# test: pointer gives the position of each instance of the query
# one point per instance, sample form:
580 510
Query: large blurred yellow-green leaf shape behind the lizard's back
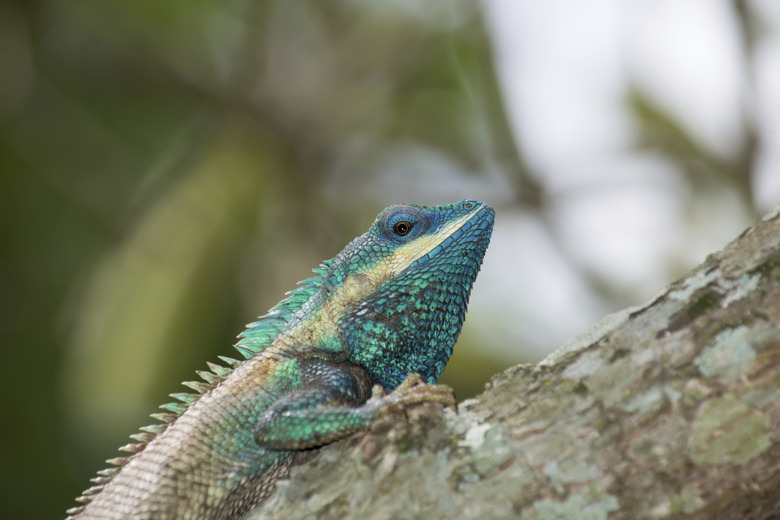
162 295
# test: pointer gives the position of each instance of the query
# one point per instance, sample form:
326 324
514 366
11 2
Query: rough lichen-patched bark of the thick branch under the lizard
669 410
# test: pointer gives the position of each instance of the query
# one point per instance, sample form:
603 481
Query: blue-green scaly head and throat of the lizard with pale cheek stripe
398 293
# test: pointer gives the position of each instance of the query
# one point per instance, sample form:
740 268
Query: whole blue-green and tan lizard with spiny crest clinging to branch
369 333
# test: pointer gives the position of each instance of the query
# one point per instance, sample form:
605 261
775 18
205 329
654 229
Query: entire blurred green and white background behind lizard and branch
169 169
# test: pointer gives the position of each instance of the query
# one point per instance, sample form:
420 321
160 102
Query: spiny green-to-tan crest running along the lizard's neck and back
256 338
